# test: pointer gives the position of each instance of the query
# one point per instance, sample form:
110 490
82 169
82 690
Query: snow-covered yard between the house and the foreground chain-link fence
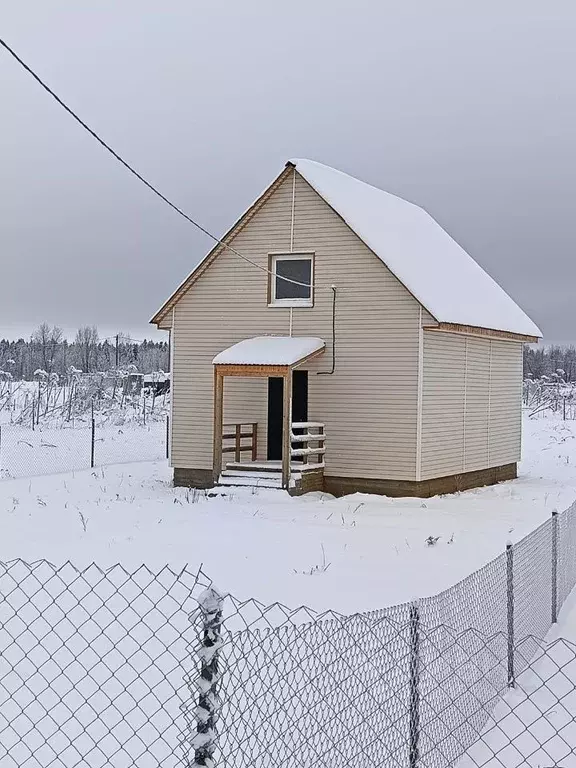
351 554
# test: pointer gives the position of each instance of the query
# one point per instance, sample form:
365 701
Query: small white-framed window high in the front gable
291 281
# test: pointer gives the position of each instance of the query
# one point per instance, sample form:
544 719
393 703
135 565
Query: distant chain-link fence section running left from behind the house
25 452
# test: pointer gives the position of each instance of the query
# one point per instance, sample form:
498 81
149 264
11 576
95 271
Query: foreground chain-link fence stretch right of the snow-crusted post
412 686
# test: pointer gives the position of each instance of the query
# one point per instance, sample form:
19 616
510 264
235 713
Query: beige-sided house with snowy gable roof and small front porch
338 338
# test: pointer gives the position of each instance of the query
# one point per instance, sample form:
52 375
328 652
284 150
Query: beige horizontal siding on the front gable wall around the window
369 405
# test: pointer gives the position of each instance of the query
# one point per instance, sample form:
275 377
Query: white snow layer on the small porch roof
270 350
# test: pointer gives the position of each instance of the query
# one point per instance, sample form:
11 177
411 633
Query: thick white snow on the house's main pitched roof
432 266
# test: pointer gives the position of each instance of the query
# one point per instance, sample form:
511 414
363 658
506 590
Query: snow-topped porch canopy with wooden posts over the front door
262 356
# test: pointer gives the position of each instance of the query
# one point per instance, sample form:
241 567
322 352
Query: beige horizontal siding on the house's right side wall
471 404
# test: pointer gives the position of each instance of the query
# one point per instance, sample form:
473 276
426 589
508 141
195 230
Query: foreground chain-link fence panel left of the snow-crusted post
94 666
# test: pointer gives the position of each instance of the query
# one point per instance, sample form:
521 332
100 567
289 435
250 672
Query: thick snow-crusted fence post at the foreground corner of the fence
204 743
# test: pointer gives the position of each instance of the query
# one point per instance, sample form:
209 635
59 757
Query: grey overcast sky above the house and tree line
466 108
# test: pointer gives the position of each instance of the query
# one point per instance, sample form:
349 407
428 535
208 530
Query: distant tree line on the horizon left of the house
48 350
